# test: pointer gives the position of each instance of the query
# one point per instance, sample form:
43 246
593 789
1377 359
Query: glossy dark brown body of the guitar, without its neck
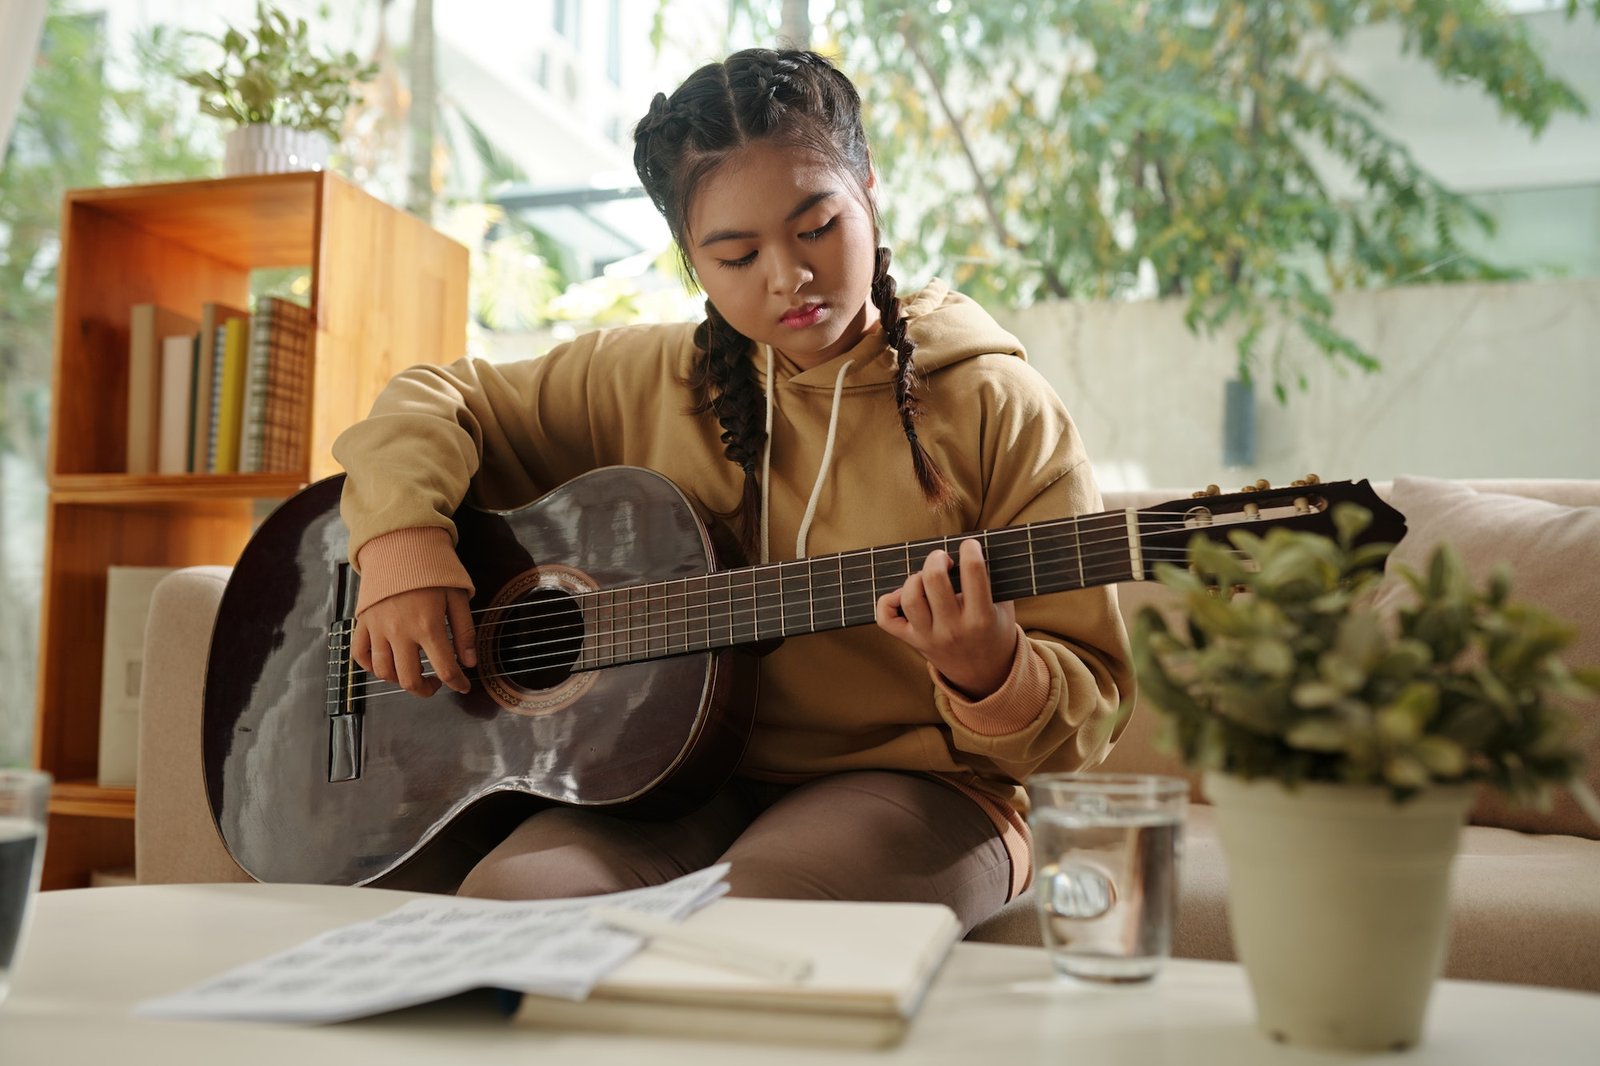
321 774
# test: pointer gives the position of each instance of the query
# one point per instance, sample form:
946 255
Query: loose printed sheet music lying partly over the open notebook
436 948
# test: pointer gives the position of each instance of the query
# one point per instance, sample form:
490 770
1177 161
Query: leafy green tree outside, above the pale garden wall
1105 150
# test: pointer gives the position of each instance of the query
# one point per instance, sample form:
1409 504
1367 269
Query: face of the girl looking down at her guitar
783 246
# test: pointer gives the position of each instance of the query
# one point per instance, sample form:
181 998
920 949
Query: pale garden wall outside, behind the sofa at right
1498 380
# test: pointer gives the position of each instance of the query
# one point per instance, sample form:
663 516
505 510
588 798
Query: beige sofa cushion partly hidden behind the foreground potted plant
1551 551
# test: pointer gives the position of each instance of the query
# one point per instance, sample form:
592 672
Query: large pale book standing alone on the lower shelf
129 593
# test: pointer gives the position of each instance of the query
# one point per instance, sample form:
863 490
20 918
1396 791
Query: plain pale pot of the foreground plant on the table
1338 899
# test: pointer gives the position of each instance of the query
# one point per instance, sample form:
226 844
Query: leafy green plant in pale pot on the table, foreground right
1342 750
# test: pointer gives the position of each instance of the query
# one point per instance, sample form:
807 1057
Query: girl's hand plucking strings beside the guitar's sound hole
393 635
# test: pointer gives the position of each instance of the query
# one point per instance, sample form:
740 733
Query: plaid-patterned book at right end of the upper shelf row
274 431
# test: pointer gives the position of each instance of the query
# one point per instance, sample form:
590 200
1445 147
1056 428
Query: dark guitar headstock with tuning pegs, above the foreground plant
1303 505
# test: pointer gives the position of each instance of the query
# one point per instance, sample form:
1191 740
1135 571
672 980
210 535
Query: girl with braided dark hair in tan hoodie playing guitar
818 414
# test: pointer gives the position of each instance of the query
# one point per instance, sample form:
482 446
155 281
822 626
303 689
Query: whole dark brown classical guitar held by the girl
615 660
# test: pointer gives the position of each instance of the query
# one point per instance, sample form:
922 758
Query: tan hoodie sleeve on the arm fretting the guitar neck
1060 707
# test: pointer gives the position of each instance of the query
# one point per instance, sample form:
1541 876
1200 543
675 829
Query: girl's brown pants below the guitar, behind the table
865 835
